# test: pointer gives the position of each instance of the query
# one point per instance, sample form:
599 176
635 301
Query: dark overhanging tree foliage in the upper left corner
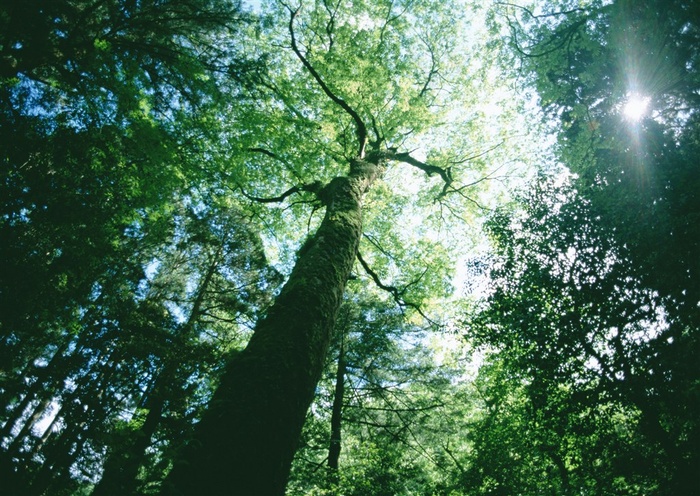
89 151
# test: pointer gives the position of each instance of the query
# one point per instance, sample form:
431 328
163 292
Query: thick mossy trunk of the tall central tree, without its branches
245 443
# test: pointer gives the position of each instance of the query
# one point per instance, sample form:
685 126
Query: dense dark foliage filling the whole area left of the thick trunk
125 282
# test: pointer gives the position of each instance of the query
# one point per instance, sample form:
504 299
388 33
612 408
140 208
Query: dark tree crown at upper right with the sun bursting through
588 65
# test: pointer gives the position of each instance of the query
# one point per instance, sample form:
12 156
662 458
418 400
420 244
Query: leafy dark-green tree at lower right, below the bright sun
573 337
